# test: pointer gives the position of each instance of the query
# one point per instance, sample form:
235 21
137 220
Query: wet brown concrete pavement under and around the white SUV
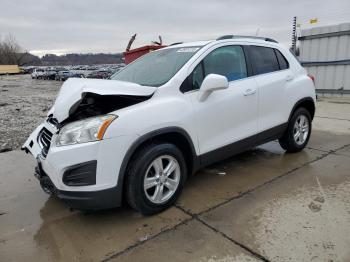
260 205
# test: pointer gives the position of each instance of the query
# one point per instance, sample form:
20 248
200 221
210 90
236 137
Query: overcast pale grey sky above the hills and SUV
88 26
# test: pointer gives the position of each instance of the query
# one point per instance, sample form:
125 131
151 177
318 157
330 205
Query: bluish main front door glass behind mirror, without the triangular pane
228 61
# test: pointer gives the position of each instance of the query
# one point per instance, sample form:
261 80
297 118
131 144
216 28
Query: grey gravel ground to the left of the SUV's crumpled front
24 103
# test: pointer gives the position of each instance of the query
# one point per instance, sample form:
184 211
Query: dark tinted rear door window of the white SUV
263 59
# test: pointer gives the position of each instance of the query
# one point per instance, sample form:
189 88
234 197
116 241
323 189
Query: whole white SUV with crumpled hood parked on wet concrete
140 135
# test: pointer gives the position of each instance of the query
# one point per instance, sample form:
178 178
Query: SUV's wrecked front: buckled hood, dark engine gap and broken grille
80 99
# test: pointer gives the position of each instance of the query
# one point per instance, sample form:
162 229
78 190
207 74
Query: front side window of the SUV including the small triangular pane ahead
228 61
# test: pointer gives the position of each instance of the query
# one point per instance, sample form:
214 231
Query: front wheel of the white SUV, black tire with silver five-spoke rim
155 178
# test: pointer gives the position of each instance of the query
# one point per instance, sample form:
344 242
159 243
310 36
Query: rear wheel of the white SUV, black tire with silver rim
298 131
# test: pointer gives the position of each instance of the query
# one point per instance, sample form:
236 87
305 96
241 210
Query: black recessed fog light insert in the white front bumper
82 174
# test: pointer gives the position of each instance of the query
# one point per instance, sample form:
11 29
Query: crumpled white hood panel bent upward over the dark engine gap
72 89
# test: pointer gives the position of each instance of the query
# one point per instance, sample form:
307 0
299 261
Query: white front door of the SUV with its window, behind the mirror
228 119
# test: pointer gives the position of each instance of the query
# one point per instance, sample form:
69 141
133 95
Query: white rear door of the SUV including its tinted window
272 76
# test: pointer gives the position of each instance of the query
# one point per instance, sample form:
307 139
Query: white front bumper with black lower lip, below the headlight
104 191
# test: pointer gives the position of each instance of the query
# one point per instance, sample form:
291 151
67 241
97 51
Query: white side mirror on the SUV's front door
211 83
